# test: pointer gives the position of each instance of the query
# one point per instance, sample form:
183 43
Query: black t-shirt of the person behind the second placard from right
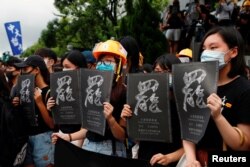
148 148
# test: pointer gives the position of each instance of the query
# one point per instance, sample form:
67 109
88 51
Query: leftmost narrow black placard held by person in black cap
26 88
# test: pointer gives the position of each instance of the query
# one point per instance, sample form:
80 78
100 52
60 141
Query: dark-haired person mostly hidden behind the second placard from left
71 60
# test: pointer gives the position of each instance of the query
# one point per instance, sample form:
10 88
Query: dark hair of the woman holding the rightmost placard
232 38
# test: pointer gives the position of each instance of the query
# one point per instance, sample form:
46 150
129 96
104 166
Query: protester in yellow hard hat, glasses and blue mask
110 56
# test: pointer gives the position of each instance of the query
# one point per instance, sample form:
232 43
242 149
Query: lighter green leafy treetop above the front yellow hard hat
91 20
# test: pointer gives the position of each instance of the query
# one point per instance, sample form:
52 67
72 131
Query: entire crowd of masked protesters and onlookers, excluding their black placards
222 39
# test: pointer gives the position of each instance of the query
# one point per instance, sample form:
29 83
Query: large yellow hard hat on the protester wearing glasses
110 47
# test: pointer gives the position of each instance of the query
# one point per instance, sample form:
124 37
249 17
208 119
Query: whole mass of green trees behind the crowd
83 23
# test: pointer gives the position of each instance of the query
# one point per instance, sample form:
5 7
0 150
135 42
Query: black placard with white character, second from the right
147 95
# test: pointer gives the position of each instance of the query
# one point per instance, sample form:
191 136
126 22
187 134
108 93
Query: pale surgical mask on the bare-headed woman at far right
214 55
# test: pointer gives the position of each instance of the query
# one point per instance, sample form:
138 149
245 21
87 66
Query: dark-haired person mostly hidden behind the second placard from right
160 153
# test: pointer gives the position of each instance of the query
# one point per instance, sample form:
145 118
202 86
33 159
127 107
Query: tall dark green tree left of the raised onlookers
142 22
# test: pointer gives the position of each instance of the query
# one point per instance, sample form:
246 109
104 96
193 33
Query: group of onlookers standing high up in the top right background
182 26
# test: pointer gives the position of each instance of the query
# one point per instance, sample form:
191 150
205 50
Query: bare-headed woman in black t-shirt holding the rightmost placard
229 124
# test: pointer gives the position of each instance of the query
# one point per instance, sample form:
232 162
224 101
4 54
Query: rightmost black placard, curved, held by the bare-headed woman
193 83
